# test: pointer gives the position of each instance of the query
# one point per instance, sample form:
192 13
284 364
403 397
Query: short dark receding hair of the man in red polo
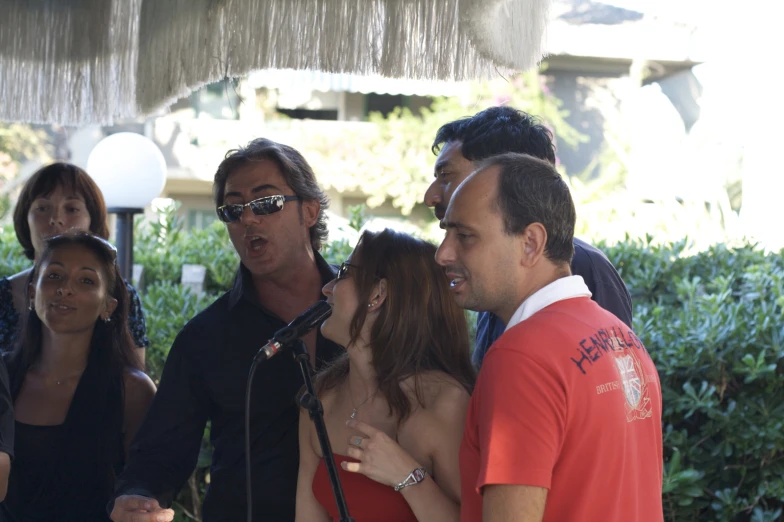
530 190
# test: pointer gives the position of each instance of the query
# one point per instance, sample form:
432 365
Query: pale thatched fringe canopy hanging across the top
75 62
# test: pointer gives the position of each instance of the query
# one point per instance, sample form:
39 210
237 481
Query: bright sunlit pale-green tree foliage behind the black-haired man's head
390 157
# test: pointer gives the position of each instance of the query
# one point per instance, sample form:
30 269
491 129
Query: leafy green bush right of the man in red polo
713 325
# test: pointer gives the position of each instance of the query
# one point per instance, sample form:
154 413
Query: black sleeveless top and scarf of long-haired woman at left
66 473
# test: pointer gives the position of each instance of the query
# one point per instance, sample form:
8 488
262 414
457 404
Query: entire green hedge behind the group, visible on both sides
712 322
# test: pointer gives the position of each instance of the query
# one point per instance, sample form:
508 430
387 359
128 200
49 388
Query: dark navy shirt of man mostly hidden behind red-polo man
606 286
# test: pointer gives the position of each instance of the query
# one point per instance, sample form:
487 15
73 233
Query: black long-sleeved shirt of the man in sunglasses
204 378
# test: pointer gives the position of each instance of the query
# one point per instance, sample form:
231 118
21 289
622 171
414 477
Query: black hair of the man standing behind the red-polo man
498 130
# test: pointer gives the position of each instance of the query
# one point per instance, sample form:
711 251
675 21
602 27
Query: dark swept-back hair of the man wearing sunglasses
294 169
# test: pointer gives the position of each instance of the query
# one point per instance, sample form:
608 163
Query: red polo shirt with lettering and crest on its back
568 400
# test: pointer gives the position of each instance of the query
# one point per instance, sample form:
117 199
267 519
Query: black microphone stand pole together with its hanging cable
310 402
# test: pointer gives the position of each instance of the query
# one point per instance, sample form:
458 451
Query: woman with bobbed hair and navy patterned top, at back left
57 198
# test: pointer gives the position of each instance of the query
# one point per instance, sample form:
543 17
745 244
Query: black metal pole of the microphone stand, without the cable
310 402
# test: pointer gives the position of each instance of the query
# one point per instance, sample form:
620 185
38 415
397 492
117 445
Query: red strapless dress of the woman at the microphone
367 500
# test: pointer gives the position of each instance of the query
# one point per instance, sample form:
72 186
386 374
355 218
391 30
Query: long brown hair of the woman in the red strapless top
419 327
